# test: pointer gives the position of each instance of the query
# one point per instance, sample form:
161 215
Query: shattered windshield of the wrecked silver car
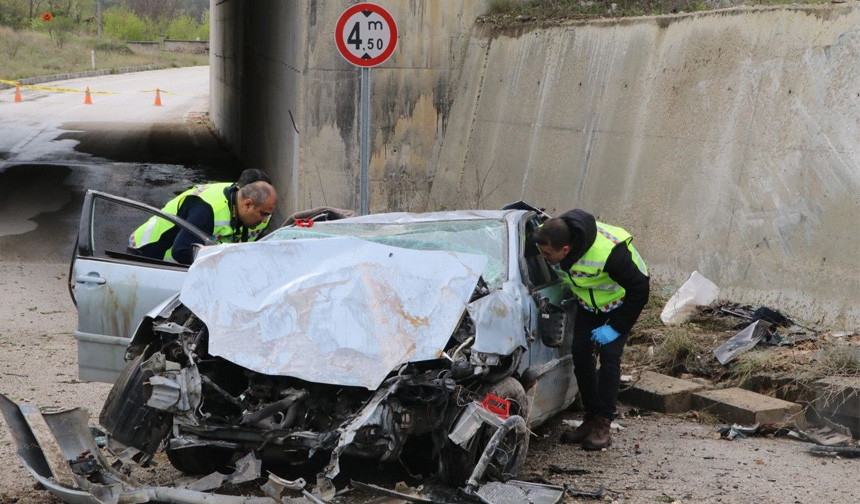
484 237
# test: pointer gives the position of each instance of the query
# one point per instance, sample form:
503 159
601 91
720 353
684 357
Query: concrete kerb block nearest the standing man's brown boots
658 392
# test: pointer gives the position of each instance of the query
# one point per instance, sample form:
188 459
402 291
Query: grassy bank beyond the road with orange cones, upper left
27 53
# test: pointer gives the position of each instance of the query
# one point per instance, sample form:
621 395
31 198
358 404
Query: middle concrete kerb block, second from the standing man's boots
743 407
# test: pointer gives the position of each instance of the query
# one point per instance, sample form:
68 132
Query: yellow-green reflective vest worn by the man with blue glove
586 278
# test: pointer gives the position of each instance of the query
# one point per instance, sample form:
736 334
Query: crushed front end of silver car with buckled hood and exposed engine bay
185 386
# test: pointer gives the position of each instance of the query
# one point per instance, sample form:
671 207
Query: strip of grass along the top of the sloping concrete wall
505 11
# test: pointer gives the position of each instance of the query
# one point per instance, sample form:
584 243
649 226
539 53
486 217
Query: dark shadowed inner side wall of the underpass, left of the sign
257 53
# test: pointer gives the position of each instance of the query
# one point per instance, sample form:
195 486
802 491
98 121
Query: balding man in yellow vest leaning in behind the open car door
229 213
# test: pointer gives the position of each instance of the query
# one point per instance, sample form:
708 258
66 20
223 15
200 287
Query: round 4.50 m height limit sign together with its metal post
366 36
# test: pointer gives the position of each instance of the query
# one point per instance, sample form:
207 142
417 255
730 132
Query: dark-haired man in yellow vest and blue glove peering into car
610 281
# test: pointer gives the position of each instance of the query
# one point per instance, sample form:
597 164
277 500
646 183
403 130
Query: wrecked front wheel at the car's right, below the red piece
508 458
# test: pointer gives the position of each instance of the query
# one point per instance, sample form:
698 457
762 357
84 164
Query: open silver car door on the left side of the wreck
111 288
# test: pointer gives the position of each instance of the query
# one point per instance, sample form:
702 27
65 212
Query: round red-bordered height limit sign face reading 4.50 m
366 35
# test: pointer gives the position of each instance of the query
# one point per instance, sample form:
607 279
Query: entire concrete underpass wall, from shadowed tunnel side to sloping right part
725 141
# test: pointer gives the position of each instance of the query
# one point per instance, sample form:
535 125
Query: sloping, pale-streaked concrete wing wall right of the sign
726 142
